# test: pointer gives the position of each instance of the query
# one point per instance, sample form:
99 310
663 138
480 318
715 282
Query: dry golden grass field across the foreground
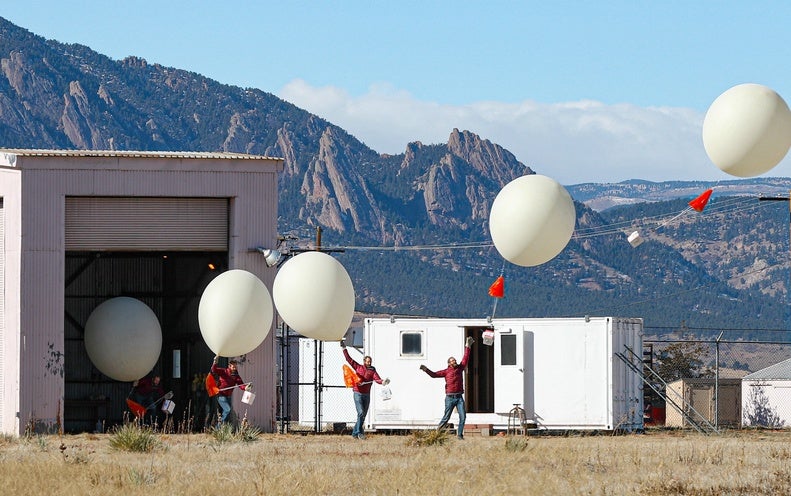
655 463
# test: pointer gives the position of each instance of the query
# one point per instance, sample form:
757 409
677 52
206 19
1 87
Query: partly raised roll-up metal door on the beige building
146 224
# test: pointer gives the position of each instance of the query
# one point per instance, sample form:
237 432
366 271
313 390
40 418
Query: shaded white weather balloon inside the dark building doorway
123 338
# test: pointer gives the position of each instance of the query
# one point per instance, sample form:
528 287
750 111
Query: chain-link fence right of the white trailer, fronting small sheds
724 383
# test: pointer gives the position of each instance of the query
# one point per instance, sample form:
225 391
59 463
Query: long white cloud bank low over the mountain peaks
573 142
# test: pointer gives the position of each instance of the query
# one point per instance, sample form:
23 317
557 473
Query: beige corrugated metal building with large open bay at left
79 227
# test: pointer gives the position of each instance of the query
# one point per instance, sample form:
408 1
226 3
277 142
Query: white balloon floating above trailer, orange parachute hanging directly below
531 220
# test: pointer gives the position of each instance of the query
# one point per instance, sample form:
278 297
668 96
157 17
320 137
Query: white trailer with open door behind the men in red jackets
563 372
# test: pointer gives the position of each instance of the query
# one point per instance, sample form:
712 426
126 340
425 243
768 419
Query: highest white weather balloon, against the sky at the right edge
747 130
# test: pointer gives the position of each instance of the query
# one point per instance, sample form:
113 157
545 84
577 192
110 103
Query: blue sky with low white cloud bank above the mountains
579 91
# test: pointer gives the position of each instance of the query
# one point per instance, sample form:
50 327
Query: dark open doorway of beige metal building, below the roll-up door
171 284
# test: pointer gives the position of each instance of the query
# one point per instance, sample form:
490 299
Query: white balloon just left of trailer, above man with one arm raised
314 295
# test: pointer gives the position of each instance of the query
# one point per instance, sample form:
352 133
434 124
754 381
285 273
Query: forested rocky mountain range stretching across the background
60 96
